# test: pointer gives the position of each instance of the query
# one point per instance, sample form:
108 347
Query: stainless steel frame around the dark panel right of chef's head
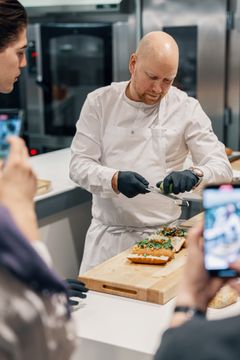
210 19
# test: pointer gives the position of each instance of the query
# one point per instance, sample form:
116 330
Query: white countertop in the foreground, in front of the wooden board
127 323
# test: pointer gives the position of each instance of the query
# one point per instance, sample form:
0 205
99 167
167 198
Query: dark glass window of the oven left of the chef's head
77 68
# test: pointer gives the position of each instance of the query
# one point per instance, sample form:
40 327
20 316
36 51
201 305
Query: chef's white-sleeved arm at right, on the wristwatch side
208 153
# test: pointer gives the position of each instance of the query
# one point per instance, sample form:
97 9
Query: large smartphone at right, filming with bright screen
221 205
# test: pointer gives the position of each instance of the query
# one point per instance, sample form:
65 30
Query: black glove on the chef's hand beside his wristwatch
179 181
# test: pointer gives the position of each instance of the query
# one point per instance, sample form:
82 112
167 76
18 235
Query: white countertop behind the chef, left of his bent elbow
54 166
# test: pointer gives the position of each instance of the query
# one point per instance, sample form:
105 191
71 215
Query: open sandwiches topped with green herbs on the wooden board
158 248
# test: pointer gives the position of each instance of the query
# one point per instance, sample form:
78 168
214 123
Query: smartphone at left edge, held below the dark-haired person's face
10 124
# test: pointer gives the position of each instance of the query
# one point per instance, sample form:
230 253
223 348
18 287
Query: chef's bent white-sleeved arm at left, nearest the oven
85 166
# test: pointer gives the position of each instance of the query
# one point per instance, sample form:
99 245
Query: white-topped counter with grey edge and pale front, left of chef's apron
64 213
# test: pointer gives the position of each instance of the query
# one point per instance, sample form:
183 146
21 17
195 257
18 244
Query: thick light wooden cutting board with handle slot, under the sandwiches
153 283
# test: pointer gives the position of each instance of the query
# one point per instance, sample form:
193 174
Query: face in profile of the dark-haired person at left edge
12 60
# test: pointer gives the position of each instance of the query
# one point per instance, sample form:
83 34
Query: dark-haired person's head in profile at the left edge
13 43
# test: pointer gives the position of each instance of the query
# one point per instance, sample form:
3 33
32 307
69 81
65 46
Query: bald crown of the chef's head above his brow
159 45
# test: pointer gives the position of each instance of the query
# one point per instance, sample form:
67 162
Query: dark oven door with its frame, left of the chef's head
66 62
